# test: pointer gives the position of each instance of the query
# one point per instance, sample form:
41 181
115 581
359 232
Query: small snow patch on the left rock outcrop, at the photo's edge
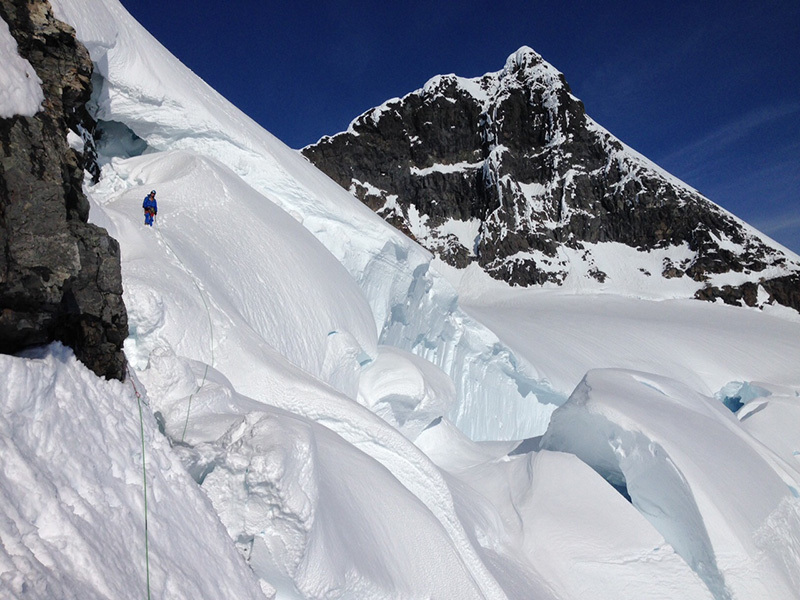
20 87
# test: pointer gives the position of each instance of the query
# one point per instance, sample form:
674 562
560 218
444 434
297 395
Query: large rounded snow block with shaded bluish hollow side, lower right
651 435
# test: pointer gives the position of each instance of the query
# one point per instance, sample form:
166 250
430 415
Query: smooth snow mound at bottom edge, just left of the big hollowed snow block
528 509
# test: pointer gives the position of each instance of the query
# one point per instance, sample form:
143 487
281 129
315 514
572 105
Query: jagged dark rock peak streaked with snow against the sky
507 170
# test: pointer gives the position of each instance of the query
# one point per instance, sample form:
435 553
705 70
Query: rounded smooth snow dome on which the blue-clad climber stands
258 279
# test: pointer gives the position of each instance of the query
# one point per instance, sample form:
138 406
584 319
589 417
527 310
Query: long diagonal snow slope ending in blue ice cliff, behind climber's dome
163 106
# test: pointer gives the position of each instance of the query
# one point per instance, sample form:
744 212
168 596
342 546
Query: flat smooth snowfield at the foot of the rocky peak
565 334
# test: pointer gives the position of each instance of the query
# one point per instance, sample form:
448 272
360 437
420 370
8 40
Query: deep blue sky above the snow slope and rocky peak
709 90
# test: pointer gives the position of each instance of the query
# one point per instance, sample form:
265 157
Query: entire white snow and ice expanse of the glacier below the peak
322 419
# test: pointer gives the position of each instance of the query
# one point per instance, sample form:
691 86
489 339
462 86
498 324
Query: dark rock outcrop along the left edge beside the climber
59 275
